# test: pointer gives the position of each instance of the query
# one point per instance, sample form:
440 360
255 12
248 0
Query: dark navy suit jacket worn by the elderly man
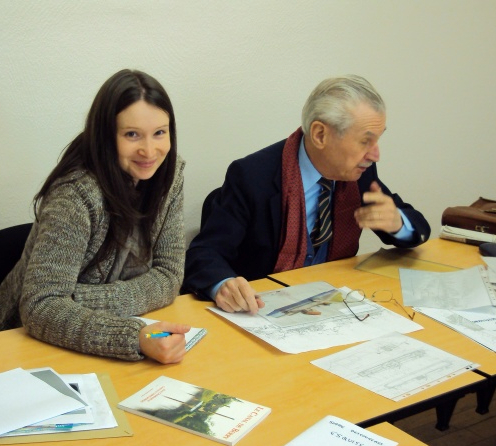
241 234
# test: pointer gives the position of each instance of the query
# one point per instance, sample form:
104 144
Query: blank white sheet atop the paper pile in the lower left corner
26 400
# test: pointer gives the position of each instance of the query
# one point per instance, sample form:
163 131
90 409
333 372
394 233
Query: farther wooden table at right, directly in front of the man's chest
343 273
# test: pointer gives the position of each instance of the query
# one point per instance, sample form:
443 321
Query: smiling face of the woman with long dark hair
143 139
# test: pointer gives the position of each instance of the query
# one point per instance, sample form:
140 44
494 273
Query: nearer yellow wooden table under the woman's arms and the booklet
231 361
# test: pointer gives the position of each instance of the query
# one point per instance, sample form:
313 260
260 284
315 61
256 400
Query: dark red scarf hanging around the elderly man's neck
293 244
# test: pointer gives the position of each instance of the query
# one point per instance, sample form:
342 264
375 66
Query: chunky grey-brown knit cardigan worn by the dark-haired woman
60 304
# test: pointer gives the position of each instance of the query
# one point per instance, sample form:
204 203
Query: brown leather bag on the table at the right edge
480 216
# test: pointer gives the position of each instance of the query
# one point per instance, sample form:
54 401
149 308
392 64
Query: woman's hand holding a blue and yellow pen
167 350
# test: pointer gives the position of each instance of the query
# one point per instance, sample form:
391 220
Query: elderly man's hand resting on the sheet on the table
237 295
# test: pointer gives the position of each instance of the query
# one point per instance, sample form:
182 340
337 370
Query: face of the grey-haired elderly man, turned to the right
346 157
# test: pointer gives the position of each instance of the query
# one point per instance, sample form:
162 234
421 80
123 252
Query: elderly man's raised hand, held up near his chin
382 214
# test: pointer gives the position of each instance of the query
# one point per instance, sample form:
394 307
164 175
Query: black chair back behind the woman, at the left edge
12 241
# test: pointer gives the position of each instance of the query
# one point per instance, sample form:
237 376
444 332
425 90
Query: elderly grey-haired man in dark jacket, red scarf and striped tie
301 201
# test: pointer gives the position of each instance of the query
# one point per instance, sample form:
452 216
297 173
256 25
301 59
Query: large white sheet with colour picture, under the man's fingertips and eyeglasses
313 316
